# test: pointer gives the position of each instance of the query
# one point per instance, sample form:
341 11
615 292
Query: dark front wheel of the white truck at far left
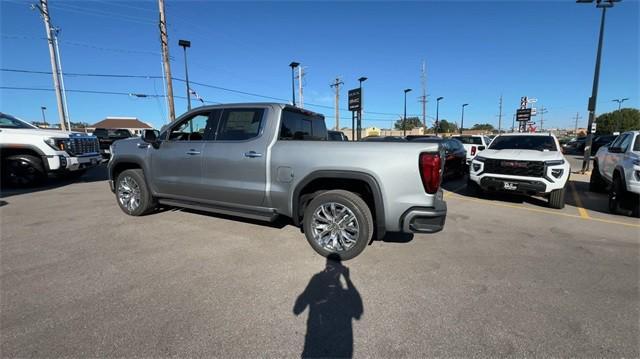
23 171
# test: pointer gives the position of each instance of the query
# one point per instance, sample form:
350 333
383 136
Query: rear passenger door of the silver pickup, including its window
235 162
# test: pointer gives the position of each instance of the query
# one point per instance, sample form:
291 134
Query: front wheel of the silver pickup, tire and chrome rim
134 179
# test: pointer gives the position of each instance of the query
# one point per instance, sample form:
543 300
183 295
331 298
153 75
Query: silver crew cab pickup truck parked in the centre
262 161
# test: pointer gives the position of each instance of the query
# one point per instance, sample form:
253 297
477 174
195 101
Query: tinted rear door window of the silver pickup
240 124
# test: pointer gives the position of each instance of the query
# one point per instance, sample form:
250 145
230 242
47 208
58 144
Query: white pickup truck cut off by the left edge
29 154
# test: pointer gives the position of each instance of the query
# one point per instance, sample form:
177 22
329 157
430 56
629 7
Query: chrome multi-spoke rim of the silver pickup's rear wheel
334 227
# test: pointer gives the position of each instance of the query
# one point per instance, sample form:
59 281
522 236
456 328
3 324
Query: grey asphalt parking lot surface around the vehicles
507 277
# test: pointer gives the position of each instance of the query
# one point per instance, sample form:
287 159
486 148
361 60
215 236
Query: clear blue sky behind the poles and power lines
475 51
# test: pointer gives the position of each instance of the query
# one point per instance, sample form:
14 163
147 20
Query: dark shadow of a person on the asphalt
332 307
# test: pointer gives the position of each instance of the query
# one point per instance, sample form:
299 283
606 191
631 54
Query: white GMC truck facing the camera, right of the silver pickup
523 163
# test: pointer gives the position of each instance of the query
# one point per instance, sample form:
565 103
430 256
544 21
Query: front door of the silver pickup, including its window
176 165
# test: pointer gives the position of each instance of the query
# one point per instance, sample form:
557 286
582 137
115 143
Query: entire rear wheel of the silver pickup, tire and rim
338 223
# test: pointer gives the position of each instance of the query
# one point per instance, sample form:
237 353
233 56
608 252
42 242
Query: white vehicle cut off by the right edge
617 166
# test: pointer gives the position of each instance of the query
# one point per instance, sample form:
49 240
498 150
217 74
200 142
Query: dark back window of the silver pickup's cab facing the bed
302 126
